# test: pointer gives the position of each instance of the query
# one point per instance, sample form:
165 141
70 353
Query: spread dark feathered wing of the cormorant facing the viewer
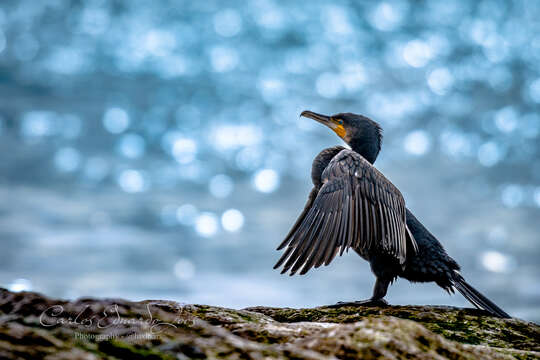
355 207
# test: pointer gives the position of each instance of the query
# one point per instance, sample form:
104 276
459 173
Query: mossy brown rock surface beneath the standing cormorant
35 327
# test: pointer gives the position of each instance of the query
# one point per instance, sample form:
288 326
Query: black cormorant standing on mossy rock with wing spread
353 205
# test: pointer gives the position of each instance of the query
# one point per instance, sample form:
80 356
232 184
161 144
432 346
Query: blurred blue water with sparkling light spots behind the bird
154 149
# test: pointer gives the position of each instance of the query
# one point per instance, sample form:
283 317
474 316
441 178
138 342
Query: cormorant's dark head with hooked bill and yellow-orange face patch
361 133
